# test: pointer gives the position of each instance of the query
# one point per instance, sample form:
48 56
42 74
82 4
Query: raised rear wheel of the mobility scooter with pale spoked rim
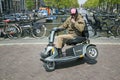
91 52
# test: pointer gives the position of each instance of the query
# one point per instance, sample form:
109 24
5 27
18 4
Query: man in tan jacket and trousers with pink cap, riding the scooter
74 25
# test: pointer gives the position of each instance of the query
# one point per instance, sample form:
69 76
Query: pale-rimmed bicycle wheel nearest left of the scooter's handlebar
39 31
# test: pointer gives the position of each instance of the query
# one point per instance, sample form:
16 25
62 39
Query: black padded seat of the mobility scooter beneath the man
76 40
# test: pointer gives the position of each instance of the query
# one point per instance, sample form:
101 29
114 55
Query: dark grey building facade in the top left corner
11 6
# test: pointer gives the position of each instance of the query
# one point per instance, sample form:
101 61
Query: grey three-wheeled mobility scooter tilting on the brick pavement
80 48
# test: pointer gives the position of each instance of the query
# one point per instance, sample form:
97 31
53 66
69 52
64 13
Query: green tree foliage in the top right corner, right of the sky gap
108 5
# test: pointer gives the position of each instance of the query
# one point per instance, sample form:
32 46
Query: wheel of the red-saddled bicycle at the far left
12 31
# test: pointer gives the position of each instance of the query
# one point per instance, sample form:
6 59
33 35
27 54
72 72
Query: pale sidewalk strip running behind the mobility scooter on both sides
28 40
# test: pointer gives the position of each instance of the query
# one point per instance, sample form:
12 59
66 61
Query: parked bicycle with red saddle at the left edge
9 30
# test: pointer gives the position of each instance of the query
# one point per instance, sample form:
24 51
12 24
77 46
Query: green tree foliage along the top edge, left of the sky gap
30 4
